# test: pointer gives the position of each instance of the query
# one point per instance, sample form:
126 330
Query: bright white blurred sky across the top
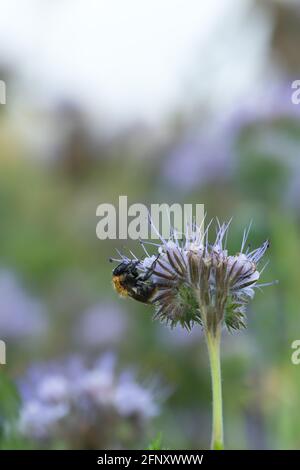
134 60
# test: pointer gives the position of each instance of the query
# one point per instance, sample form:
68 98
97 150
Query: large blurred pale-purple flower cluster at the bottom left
86 408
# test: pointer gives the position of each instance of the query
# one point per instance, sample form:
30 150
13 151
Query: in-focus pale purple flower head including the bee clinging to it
192 281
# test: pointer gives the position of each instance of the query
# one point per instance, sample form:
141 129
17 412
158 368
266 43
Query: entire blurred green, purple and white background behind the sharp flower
163 101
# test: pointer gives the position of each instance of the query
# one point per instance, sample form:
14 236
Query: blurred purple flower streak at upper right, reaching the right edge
209 156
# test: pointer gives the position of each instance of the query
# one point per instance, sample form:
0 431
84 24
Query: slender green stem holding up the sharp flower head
213 341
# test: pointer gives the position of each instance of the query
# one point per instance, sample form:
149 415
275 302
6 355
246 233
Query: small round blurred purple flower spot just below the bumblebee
104 324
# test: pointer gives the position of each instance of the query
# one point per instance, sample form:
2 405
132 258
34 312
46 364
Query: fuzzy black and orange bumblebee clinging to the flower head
129 282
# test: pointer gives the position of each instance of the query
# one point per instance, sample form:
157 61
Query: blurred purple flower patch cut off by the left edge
20 314
